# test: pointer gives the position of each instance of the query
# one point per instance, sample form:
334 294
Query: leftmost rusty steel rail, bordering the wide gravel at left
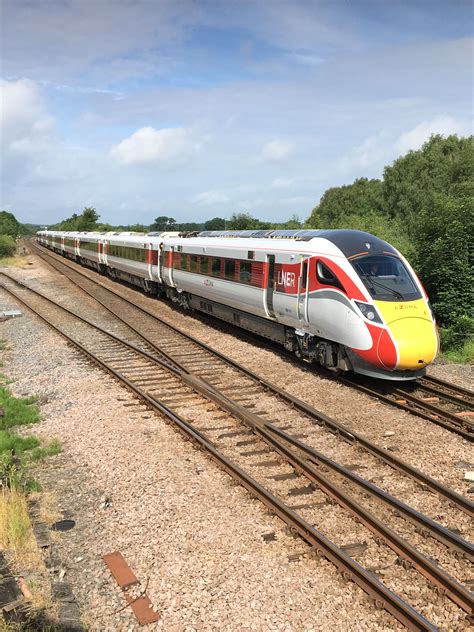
385 598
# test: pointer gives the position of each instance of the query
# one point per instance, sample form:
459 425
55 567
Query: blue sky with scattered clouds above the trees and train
196 109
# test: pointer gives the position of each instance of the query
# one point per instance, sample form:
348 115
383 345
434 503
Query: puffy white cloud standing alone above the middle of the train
148 145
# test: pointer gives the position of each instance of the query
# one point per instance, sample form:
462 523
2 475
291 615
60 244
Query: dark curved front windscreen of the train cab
386 278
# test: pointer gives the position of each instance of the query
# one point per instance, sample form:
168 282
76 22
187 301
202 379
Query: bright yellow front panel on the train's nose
416 342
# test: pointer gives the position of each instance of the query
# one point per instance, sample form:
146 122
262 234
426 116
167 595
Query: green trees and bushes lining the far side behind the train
423 205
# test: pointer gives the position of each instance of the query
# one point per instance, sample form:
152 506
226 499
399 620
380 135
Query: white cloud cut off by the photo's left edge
25 126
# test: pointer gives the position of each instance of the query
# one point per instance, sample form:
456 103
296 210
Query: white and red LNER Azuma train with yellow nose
343 299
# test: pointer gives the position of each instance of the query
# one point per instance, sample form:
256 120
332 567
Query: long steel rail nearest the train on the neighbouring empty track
322 419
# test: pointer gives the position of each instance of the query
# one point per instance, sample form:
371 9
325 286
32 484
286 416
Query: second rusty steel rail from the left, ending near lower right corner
439 578
